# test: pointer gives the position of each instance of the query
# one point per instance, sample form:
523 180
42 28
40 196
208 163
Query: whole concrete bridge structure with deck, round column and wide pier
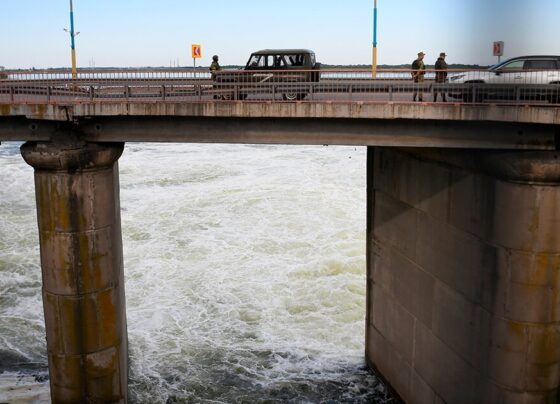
463 212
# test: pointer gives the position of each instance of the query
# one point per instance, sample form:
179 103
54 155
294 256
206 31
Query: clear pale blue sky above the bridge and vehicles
139 33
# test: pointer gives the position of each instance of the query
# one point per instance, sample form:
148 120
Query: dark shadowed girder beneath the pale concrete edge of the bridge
306 131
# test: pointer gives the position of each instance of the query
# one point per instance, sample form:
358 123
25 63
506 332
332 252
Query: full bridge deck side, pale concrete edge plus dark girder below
340 123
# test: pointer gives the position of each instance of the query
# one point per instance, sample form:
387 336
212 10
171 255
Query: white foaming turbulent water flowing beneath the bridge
245 275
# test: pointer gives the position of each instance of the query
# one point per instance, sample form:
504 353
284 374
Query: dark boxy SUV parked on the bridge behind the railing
283 71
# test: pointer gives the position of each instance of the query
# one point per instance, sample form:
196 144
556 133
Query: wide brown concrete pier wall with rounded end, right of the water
464 274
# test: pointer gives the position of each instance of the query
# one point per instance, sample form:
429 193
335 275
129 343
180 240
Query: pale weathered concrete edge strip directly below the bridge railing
266 109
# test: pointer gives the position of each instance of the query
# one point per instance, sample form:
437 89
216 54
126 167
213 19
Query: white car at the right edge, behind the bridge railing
524 77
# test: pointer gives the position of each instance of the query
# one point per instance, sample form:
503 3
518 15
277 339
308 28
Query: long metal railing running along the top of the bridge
188 85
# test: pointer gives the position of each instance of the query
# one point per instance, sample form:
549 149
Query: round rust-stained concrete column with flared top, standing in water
78 209
